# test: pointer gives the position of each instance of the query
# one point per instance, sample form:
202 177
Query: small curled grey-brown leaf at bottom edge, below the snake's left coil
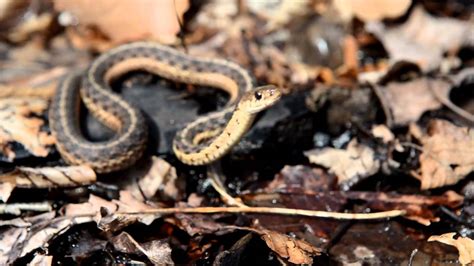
157 251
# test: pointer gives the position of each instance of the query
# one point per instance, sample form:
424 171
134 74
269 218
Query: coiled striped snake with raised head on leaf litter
202 141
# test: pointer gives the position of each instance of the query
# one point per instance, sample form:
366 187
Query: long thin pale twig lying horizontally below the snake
271 210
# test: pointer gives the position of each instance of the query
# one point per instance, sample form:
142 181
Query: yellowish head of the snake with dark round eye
259 99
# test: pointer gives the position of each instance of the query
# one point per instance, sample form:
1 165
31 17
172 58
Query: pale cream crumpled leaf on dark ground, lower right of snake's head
350 165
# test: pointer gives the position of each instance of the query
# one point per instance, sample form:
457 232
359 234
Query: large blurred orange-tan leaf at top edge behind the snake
145 19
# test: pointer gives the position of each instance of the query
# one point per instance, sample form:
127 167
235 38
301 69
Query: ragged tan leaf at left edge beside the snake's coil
16 124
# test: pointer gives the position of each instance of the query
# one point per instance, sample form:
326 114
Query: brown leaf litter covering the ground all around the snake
385 132
